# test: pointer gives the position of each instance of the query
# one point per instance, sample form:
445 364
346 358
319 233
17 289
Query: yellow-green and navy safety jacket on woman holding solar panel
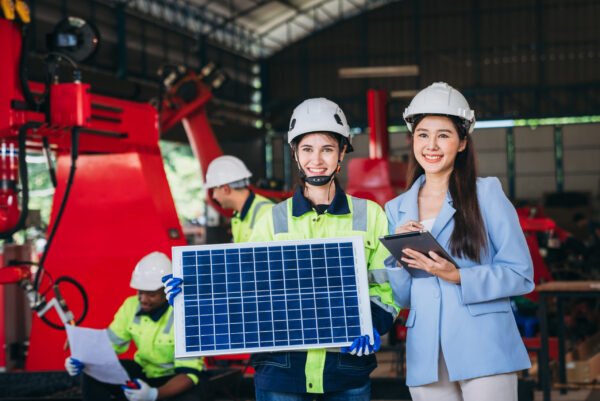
295 219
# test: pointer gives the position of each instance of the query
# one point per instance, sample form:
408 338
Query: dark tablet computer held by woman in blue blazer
420 241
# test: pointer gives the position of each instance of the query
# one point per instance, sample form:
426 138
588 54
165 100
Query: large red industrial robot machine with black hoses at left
116 208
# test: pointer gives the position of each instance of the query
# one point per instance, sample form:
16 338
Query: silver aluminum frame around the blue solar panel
361 283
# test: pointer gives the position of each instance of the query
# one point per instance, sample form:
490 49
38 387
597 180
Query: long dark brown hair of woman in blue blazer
469 236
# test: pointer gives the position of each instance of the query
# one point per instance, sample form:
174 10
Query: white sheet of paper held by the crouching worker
93 348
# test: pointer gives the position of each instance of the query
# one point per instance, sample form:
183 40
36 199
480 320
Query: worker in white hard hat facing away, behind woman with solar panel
228 177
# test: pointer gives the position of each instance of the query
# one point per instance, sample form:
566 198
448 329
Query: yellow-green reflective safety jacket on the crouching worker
154 340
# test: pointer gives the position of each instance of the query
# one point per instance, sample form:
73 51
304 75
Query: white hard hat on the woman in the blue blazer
440 98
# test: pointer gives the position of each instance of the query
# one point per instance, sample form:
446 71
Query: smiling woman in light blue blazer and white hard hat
463 342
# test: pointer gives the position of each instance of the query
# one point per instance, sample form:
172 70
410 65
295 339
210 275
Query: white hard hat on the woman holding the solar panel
319 115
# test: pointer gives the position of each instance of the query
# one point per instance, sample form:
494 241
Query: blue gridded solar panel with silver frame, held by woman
280 295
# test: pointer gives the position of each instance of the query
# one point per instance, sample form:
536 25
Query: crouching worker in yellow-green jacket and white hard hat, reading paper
147 320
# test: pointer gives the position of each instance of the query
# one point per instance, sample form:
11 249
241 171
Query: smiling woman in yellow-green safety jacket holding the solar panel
319 136
